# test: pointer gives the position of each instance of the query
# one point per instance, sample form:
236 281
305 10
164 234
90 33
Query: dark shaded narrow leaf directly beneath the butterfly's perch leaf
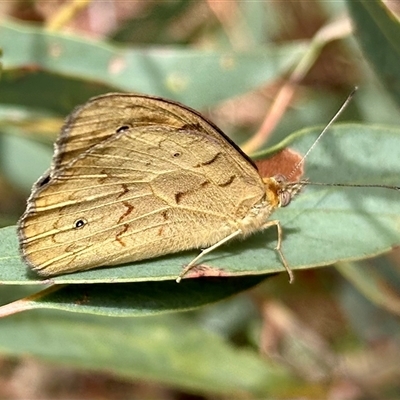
133 299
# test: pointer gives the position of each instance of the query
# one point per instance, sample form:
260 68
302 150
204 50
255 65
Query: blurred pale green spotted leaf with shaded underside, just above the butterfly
178 73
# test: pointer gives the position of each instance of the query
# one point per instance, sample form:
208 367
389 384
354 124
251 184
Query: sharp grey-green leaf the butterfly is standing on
321 226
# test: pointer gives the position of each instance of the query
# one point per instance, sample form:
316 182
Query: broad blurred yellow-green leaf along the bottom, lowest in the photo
171 350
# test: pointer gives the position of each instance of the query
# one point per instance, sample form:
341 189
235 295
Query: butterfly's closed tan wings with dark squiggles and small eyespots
151 187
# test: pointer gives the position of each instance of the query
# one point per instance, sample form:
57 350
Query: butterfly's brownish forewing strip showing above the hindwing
102 117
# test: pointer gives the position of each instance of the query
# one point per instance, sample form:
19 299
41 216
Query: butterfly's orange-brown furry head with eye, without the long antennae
280 191
